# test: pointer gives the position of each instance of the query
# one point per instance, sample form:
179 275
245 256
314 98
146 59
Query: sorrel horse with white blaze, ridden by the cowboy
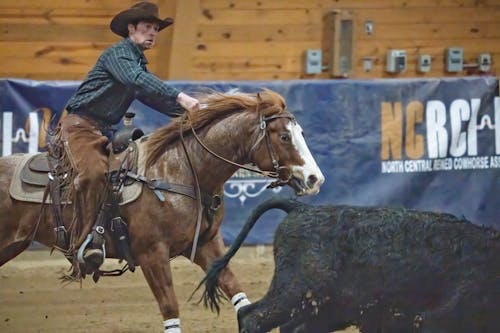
229 131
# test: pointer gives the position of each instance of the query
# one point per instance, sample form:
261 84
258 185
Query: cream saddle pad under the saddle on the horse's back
25 192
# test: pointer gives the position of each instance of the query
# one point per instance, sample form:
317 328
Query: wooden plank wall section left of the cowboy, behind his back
54 39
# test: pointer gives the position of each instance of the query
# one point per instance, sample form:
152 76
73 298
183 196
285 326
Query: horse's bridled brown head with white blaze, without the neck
281 147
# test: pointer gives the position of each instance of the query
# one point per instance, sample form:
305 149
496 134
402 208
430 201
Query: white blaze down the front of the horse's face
309 173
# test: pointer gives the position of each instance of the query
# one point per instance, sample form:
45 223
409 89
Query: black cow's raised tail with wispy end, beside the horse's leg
213 295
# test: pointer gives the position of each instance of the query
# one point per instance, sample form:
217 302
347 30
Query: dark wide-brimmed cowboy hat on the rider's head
140 11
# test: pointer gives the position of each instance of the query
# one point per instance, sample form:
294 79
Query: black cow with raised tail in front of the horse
381 269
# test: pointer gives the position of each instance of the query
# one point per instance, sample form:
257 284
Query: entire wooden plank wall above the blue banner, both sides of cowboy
247 39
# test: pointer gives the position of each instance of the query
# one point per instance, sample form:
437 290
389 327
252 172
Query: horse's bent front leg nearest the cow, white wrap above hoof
227 281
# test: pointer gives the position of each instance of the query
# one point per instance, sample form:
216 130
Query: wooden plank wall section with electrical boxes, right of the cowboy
260 39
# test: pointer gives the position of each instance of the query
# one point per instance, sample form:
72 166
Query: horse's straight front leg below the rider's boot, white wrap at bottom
155 265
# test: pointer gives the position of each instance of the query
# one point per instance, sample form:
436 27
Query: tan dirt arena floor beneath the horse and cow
33 300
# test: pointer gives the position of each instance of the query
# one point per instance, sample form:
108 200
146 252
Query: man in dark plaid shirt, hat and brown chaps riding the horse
118 78
